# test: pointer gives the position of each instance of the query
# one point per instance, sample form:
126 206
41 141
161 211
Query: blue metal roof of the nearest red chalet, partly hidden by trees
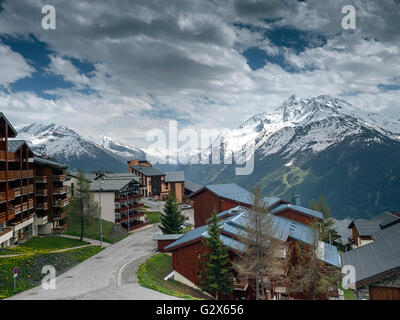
282 229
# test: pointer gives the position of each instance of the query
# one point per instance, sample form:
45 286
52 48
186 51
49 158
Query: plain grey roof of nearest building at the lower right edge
375 258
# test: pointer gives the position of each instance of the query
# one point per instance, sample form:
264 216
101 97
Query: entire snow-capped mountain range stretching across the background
318 146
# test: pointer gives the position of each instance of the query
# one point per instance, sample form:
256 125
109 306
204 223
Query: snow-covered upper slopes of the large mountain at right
298 125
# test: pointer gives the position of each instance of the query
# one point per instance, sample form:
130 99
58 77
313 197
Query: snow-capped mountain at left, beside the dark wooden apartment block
67 146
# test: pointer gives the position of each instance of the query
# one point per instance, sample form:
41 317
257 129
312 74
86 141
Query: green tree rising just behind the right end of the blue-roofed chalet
326 231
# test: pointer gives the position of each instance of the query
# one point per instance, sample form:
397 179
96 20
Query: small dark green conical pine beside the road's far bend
172 220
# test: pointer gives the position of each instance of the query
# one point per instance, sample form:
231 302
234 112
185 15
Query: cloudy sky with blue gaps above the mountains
124 67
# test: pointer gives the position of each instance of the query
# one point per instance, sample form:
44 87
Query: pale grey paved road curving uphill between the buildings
108 275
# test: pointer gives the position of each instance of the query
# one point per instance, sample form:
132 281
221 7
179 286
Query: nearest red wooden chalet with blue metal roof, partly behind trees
188 250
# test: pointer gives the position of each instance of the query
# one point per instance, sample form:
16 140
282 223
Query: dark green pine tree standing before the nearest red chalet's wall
216 276
